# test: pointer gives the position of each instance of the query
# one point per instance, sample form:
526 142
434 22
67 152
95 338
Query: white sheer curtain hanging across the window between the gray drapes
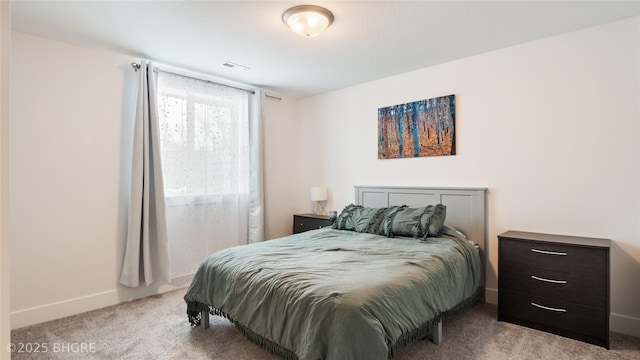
209 168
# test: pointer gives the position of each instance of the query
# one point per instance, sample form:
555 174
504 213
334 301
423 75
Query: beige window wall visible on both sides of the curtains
71 117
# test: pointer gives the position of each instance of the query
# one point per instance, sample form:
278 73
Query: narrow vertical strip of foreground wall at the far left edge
5 279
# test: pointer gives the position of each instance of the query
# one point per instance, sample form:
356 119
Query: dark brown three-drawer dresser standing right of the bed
554 283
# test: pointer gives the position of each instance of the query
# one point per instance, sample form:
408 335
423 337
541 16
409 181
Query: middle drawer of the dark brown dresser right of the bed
585 290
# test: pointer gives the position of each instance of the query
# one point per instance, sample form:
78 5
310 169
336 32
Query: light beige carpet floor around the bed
157 328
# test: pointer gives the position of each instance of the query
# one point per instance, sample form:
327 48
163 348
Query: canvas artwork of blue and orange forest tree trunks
416 129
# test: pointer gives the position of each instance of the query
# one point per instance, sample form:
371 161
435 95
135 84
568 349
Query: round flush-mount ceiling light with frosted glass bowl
307 20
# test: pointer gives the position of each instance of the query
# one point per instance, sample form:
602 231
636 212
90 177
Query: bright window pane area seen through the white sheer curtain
204 137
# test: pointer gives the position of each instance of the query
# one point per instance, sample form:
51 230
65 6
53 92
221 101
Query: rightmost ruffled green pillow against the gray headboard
416 222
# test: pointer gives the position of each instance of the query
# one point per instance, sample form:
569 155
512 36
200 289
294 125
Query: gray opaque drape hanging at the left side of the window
146 251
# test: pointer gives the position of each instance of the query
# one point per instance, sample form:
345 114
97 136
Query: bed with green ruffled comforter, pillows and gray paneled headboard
357 293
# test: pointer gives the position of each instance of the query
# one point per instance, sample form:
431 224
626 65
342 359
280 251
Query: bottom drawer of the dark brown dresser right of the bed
568 319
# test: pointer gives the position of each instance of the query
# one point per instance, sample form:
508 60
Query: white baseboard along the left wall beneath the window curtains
40 314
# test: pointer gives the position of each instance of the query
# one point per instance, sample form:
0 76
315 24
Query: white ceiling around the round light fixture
368 40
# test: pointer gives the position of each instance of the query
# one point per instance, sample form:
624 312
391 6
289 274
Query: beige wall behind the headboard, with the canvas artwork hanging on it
551 128
